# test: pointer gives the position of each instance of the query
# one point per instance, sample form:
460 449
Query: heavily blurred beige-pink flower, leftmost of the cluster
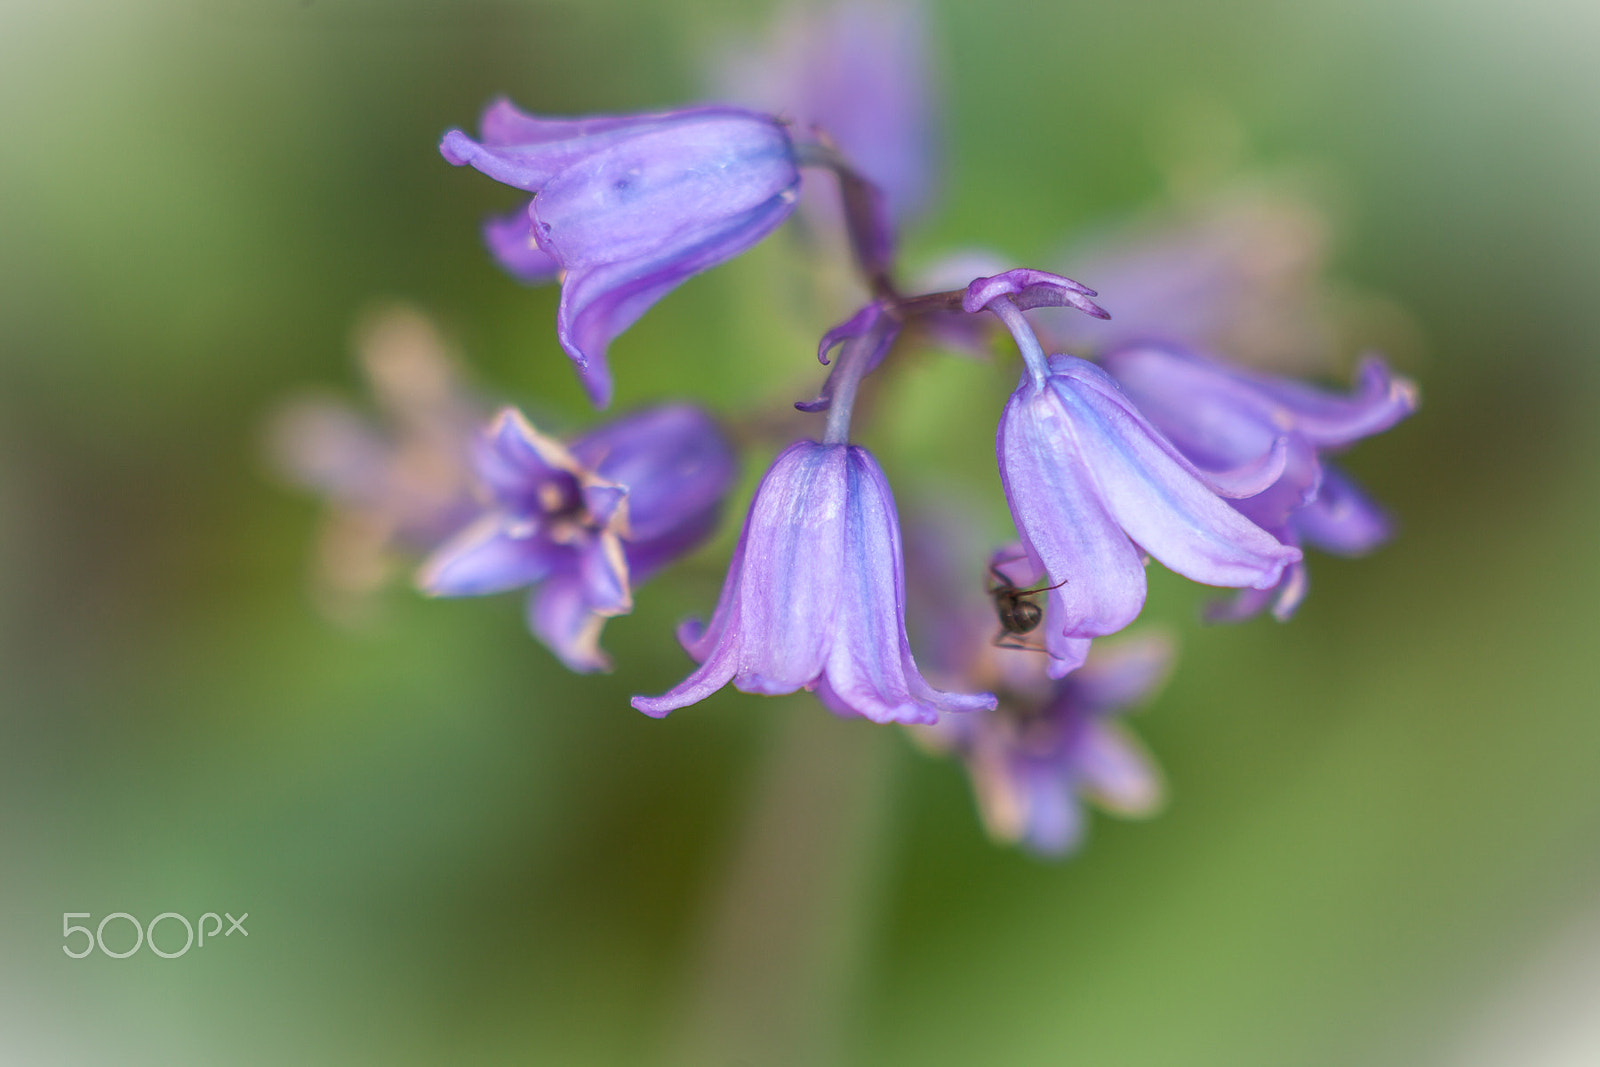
396 487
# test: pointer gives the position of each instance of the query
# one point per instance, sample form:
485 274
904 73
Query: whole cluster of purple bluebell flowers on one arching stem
1142 444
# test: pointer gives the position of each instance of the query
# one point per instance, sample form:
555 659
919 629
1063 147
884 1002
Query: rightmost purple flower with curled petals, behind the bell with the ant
1222 417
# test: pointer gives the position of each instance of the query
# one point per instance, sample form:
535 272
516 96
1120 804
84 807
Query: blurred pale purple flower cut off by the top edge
858 74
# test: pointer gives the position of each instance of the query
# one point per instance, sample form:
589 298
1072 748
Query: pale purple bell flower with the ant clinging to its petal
1094 487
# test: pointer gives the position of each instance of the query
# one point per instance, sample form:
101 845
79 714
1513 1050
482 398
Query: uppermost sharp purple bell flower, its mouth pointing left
630 207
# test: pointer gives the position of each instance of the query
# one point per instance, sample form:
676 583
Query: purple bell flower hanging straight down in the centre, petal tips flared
815 599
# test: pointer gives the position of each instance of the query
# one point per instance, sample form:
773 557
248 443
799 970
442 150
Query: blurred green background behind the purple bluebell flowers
1382 817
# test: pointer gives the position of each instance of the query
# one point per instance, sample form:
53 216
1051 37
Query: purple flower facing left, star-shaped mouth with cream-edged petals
588 522
